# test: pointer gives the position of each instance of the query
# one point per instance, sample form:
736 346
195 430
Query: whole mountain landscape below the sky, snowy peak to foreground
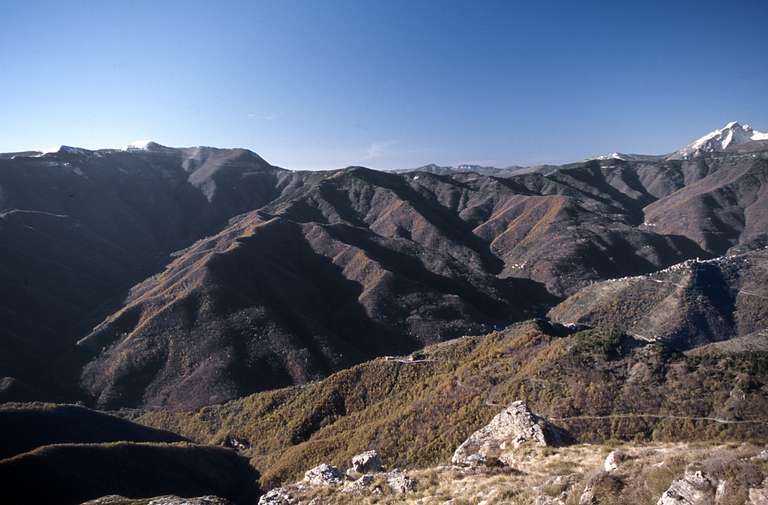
201 314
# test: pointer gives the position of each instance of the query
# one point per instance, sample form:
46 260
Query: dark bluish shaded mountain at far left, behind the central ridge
79 227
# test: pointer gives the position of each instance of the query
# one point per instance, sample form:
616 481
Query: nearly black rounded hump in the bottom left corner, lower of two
68 474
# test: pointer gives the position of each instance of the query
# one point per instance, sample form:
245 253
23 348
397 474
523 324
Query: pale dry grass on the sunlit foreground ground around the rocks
640 479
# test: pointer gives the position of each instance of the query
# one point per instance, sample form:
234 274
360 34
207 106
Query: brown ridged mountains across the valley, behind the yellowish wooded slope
191 276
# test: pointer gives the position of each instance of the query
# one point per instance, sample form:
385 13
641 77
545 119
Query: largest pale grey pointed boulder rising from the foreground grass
513 427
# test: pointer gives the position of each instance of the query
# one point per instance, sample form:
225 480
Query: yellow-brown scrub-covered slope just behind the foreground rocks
416 414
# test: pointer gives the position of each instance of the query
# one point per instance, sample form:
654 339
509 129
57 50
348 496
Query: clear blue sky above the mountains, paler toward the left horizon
386 84
